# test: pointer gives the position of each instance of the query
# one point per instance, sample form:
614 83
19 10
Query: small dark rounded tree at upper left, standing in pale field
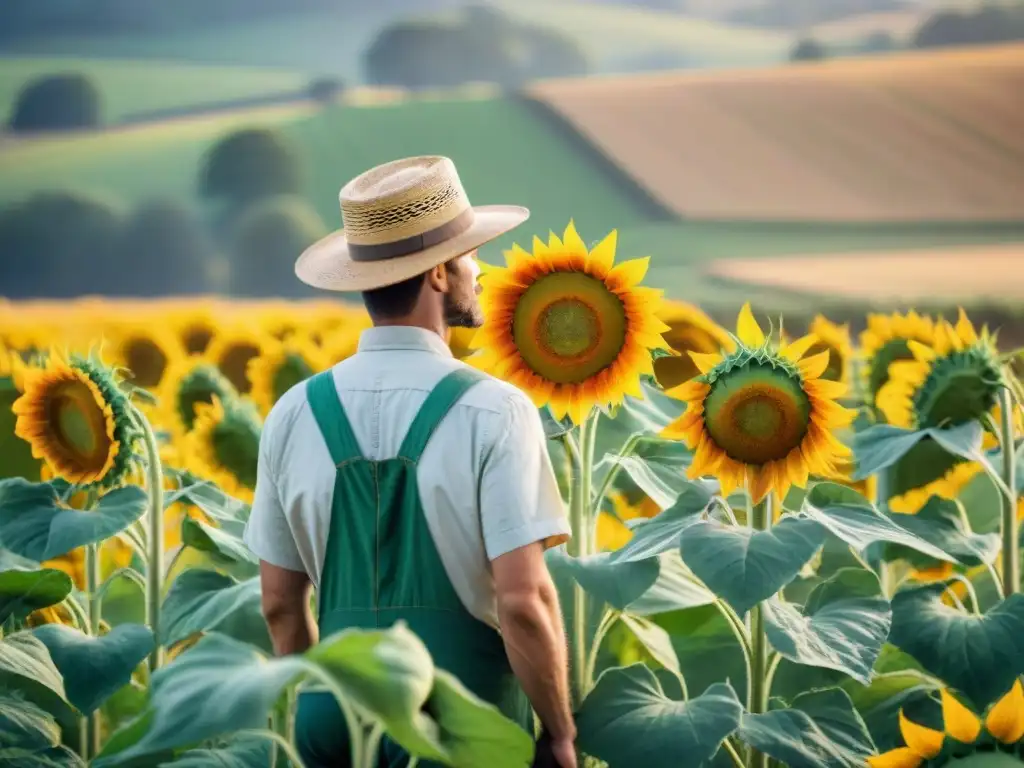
57 103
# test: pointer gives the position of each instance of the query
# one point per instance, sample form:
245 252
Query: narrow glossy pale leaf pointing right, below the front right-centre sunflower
854 520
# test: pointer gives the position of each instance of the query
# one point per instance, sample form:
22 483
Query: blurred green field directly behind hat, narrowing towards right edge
505 155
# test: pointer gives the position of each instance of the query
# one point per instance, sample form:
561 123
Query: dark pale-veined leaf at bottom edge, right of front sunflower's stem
821 731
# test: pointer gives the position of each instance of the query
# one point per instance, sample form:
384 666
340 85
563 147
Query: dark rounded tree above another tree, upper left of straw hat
250 165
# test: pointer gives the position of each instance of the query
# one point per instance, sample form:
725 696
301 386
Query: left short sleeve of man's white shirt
268 534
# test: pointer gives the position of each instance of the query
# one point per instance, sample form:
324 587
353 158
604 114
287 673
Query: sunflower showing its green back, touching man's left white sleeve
224 446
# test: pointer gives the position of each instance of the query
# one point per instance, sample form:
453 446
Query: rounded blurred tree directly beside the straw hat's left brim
268 240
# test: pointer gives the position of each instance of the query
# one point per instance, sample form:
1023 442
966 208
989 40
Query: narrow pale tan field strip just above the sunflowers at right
957 274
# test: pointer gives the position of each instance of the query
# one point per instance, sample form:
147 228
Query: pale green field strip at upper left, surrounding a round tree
129 88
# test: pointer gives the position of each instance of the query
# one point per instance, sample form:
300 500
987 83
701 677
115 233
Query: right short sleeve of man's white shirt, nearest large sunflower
521 502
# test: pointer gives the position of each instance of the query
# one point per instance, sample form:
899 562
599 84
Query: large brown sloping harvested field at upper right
910 138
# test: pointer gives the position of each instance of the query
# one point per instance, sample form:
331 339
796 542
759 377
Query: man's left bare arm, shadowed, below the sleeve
286 609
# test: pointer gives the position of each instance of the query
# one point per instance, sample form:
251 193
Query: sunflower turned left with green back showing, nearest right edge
953 379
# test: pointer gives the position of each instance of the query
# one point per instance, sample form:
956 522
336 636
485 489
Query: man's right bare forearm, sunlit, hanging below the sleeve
535 635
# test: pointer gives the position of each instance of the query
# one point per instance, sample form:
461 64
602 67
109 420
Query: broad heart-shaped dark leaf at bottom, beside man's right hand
628 720
